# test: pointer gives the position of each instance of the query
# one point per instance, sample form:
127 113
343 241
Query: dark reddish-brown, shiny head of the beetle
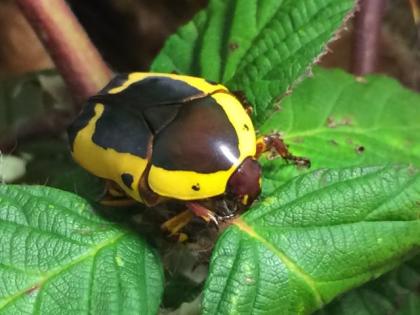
245 182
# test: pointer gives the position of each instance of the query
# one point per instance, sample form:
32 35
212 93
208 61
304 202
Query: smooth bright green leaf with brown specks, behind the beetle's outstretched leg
337 120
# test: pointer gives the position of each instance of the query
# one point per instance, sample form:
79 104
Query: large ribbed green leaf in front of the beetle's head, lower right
316 237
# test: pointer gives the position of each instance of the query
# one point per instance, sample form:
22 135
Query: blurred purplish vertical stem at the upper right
367 31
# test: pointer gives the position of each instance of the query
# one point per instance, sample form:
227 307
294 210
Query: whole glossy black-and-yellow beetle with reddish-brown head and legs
157 137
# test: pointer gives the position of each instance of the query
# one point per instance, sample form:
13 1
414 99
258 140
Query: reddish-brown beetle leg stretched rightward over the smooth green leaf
274 142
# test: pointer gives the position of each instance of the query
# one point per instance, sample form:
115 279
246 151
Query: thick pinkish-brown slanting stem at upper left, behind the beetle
76 58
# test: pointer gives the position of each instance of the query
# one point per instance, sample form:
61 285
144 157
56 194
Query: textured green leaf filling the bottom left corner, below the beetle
57 257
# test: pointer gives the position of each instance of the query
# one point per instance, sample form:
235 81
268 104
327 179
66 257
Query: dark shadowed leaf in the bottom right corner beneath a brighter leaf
394 293
